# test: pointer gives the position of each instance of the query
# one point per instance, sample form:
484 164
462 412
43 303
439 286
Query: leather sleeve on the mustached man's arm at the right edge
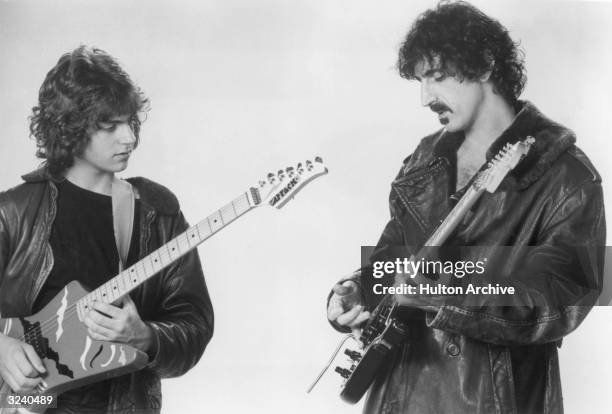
555 286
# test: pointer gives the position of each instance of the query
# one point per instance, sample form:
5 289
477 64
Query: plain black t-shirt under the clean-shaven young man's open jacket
84 249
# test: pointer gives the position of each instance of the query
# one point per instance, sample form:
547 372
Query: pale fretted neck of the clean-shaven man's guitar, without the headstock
135 275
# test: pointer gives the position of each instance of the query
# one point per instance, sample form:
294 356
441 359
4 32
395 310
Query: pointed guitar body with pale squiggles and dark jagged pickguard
71 357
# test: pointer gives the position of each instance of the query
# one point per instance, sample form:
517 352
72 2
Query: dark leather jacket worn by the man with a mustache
490 358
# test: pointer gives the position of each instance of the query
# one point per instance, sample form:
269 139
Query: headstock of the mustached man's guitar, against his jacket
503 162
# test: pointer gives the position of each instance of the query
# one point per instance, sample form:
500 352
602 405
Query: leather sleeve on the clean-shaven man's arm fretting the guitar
183 322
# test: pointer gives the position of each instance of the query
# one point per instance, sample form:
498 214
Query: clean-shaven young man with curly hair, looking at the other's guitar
60 226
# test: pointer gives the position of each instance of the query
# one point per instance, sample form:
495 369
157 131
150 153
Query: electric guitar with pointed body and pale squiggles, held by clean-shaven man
57 333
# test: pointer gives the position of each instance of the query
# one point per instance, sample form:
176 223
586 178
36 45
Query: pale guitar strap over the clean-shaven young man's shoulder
123 217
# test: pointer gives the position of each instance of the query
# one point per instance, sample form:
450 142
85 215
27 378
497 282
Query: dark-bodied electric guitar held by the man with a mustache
384 330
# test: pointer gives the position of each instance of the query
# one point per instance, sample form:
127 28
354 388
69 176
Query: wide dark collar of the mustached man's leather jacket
551 140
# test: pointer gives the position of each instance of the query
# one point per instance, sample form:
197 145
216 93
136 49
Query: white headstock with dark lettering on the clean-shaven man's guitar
279 188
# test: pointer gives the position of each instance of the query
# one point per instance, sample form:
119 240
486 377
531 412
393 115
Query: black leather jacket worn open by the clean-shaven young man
175 303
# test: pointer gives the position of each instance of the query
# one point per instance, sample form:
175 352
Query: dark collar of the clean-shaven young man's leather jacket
155 195
